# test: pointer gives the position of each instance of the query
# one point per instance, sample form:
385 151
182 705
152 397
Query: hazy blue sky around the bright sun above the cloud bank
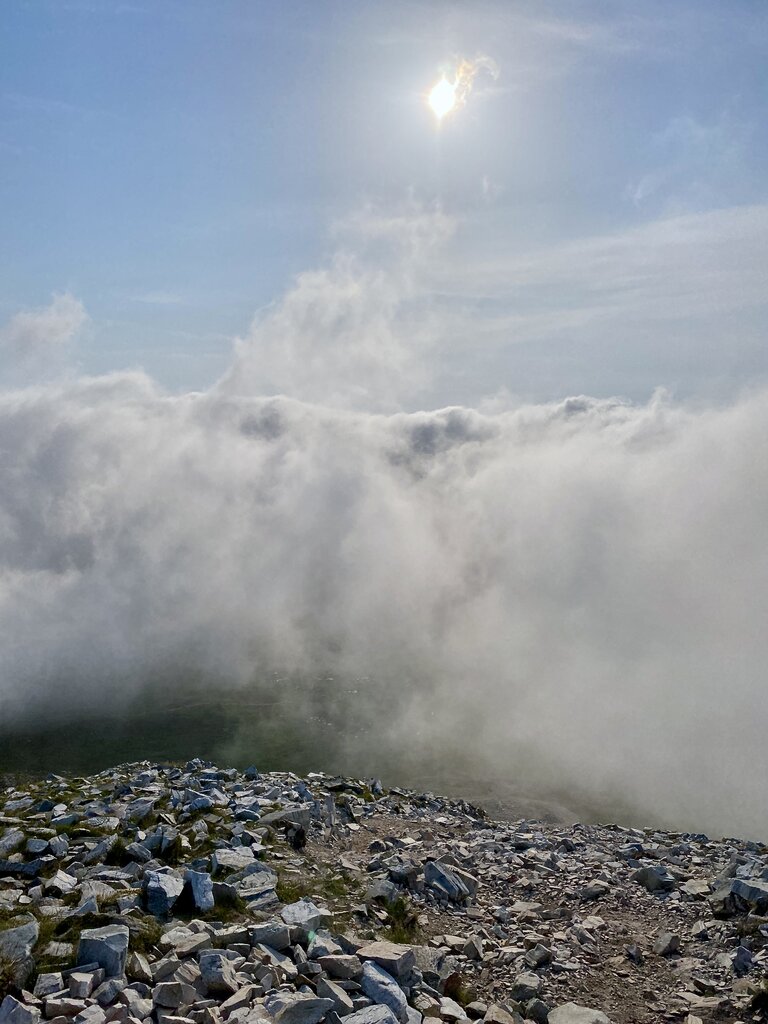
177 165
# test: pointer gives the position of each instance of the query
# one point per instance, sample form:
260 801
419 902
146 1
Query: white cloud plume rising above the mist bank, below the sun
358 332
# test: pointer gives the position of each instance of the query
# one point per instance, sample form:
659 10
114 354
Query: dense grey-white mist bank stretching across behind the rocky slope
574 590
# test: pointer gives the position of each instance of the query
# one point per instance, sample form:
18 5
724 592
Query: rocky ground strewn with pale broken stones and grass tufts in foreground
196 895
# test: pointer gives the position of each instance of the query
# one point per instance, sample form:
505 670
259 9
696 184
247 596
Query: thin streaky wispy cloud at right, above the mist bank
699 276
